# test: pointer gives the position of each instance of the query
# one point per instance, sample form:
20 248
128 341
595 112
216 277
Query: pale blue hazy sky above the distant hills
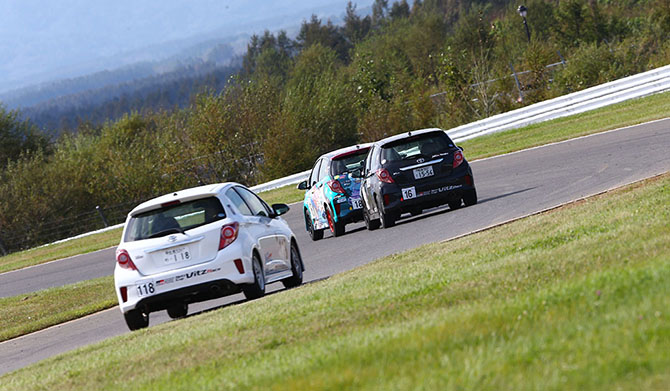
45 39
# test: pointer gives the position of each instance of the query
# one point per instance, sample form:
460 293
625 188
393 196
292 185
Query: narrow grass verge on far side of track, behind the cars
620 115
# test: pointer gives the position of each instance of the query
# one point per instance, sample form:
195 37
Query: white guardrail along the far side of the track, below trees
636 86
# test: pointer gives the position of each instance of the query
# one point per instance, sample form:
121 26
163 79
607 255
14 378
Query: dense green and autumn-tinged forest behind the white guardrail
431 63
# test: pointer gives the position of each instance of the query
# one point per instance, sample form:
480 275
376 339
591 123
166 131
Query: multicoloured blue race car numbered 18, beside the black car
333 189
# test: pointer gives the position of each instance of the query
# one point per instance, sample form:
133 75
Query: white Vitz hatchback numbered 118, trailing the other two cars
199 244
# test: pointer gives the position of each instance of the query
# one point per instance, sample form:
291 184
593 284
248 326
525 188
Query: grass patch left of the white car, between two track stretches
24 314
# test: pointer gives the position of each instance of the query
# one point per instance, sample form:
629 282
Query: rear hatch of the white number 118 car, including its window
174 235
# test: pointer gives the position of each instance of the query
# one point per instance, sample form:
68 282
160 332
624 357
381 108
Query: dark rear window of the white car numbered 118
174 218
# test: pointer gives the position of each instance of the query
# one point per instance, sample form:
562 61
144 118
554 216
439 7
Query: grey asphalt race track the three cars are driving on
509 187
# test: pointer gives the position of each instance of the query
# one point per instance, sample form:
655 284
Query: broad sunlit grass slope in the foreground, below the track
577 298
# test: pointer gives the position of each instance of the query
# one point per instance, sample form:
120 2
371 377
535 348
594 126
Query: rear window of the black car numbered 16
424 145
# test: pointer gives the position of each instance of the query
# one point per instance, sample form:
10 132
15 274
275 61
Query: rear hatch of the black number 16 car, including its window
419 160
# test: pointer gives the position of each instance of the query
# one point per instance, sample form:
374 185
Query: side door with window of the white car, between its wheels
275 246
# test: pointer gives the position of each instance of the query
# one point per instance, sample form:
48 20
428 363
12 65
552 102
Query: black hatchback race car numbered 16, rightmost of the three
411 172
